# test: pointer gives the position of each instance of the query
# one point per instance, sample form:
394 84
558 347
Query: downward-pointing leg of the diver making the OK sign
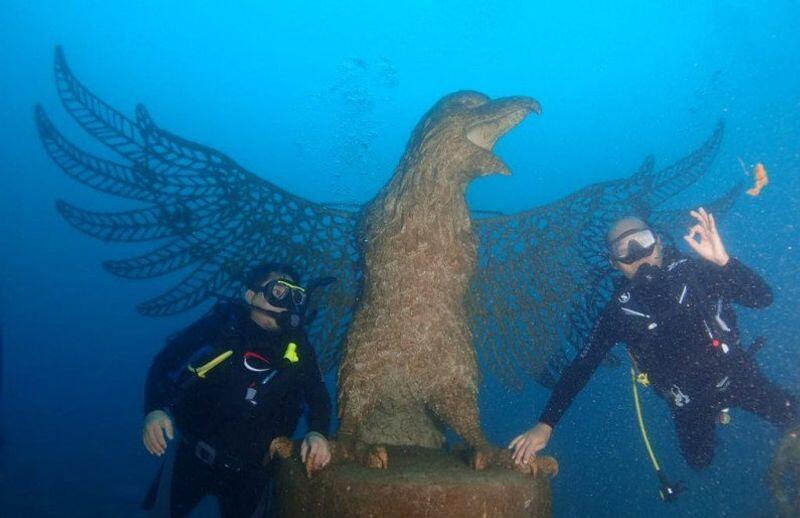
696 434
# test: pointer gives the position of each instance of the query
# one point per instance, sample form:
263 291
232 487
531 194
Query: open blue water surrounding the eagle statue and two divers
320 98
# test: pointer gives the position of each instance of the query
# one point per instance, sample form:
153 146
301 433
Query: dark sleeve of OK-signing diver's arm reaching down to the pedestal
604 336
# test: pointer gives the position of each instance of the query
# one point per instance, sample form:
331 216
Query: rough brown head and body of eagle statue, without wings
410 364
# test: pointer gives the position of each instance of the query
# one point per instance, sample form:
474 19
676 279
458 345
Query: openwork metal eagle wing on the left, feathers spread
212 219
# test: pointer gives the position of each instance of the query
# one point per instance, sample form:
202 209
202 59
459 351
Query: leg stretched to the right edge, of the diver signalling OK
754 392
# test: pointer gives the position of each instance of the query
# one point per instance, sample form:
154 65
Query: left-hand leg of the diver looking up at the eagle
191 481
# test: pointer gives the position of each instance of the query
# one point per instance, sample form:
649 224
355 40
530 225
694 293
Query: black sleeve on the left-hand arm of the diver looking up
160 387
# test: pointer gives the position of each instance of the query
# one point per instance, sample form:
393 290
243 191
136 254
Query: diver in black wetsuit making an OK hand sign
674 315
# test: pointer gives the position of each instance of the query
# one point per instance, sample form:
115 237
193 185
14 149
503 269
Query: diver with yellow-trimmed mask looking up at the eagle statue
231 384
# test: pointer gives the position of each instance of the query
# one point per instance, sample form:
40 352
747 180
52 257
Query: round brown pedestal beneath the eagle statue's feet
420 482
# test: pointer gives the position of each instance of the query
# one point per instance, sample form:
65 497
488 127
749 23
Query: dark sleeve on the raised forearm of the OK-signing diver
738 283
